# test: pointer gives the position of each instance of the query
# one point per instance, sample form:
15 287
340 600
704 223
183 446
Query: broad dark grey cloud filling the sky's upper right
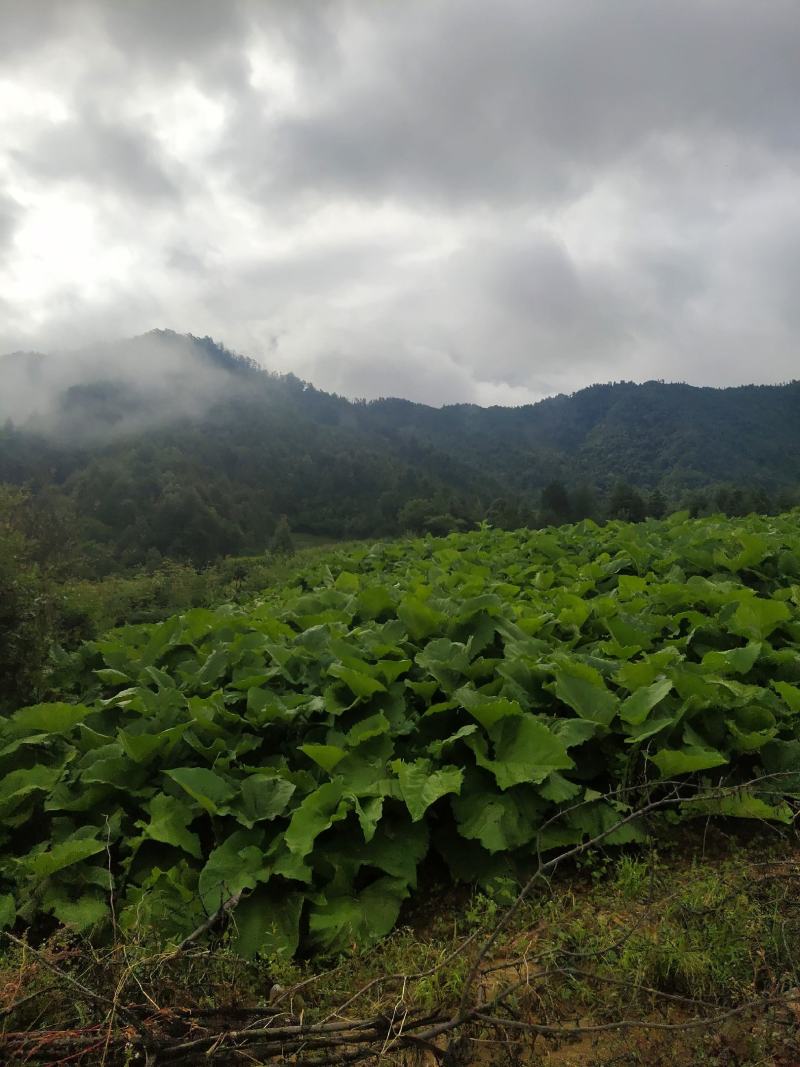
529 102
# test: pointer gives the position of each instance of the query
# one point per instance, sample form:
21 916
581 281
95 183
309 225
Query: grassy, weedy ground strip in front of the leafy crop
666 936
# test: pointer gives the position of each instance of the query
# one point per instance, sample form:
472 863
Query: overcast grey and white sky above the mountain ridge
443 200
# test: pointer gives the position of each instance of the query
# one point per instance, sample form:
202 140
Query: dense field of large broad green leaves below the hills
477 700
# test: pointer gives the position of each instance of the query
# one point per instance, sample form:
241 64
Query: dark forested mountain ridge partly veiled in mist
171 445
